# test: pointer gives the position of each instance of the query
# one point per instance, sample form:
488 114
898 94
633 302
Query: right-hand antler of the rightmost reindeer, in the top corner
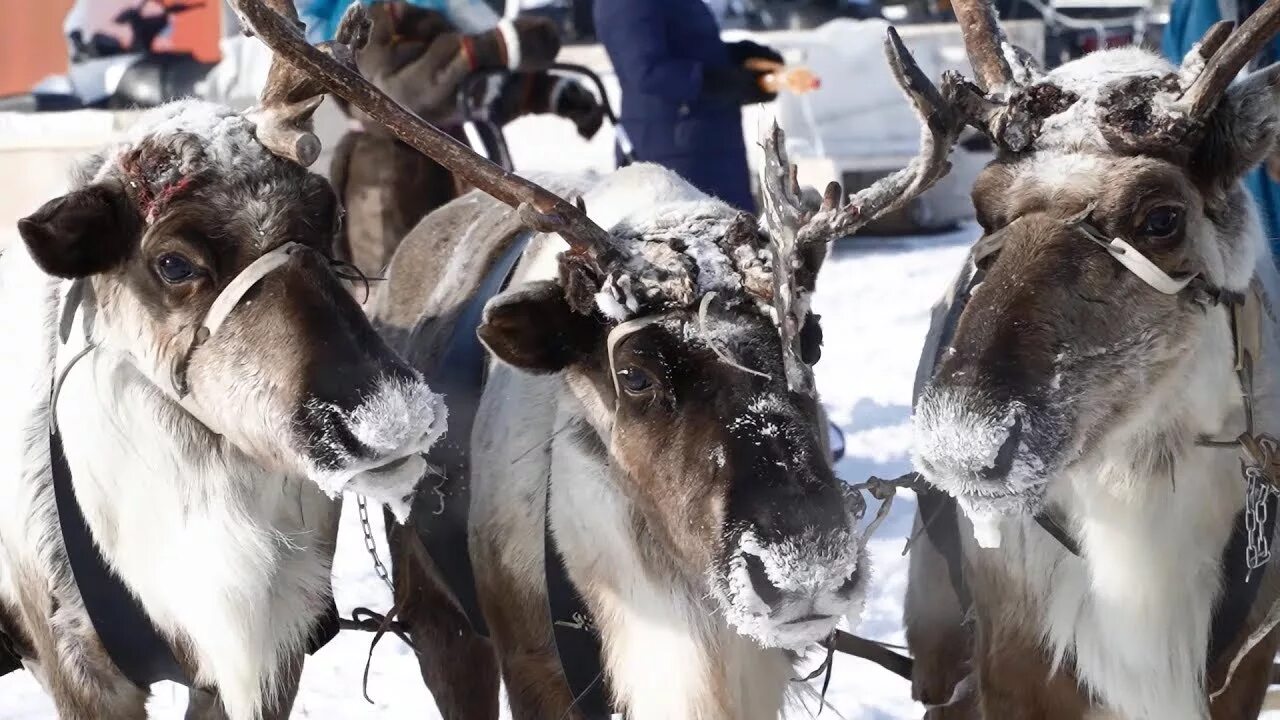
1231 54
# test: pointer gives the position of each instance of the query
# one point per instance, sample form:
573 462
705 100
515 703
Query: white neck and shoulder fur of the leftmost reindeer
232 562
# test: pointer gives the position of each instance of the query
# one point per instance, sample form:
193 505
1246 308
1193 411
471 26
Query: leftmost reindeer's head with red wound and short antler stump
205 257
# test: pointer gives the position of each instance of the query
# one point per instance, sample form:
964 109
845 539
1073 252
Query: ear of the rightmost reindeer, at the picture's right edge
1242 130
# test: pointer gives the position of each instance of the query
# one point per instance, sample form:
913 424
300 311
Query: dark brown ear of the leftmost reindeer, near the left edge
84 233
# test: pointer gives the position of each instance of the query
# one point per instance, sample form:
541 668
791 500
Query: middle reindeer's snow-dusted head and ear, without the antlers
689 405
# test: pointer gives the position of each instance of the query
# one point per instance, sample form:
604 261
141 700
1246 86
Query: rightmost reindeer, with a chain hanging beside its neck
1098 380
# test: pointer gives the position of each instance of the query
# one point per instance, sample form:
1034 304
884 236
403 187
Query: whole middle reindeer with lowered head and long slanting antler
650 408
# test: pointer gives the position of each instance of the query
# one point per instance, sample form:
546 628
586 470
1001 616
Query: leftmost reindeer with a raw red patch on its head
179 341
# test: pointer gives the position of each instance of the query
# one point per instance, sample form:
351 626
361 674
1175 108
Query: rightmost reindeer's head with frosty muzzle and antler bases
1067 334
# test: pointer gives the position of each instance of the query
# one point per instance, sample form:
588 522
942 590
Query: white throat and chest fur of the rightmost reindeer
1135 612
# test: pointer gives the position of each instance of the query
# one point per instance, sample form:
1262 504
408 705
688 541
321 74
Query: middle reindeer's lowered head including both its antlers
684 331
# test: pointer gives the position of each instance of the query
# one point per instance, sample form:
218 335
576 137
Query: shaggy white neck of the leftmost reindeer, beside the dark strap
228 560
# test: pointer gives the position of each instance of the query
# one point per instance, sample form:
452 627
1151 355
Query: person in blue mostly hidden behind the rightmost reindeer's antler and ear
1188 20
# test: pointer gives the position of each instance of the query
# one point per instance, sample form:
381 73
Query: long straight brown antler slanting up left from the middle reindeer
538 208
